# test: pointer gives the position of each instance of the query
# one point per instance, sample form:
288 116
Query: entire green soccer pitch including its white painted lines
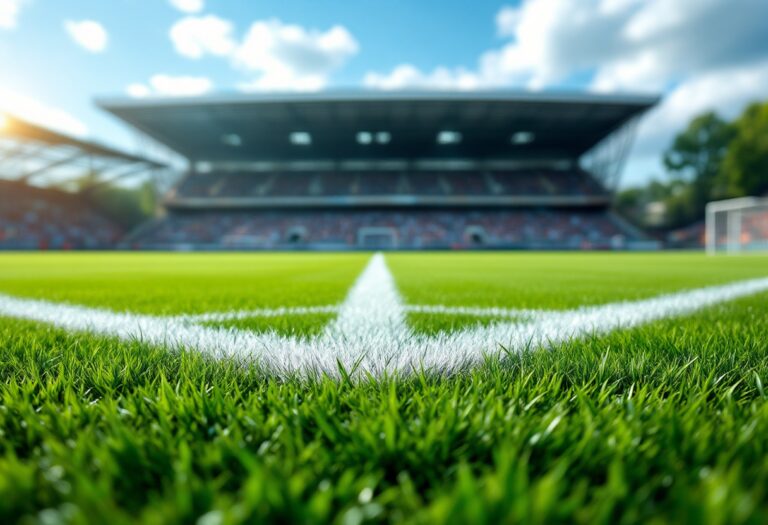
442 387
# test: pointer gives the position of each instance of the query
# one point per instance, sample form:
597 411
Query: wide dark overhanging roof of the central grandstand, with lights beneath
380 125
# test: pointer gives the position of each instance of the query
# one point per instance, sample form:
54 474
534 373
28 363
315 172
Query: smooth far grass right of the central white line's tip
559 280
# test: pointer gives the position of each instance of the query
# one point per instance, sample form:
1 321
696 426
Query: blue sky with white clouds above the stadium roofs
57 55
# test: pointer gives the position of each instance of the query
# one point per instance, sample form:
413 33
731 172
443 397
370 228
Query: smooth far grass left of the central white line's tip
181 283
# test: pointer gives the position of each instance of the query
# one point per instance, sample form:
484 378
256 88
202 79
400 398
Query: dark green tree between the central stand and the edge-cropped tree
696 157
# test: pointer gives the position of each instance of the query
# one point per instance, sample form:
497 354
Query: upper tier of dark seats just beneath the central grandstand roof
319 184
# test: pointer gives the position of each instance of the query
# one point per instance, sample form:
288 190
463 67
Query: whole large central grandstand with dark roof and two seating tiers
401 170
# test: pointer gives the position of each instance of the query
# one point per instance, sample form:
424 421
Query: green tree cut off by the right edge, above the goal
746 164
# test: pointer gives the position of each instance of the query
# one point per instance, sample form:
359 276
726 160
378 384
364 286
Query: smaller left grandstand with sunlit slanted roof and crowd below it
34 213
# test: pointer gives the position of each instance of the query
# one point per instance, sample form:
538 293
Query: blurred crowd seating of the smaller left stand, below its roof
37 218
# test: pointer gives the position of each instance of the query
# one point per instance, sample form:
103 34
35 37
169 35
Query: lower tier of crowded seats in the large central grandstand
402 229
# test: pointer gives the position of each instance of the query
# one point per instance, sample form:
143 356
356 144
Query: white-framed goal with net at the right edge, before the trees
737 225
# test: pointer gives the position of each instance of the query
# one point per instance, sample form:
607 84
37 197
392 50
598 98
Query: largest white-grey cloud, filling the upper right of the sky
629 44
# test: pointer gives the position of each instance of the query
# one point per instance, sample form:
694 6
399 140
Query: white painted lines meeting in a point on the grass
370 332
